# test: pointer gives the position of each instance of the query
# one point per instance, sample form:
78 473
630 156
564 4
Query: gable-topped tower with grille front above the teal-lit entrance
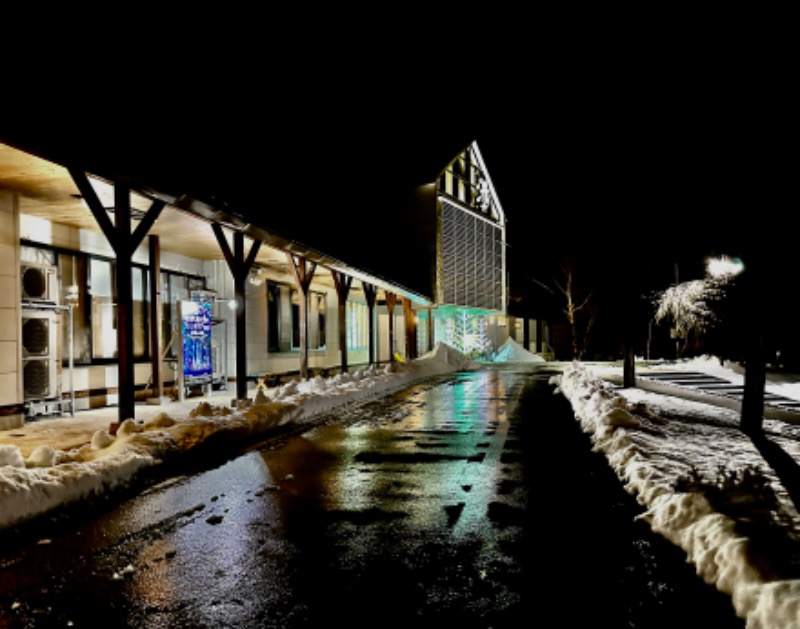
471 236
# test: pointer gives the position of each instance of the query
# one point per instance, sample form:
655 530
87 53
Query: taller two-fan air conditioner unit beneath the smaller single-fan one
41 356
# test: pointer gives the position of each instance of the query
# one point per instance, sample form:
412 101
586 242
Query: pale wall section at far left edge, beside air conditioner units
10 314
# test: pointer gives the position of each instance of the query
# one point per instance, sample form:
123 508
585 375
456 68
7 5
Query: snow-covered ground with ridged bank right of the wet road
703 483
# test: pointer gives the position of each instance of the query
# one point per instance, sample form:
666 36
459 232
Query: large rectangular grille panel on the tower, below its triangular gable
472 260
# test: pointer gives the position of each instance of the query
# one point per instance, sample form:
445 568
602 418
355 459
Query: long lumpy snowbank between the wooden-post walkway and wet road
50 478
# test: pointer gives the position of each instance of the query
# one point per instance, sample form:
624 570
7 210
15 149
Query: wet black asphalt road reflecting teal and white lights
471 500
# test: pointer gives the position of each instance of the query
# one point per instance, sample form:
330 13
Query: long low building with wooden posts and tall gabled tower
115 287
